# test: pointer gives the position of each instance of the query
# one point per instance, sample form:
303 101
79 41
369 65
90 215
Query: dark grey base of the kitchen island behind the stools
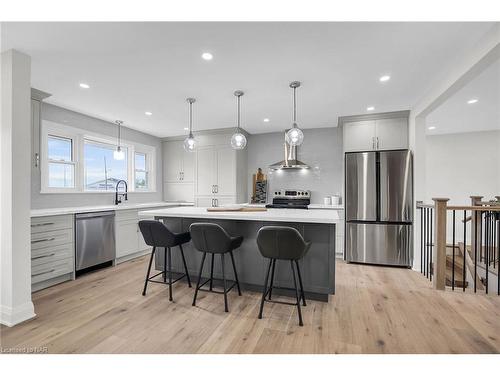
317 267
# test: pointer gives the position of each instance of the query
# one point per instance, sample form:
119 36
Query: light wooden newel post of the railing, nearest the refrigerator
439 256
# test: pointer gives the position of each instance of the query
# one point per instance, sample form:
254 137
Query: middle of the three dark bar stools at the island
212 238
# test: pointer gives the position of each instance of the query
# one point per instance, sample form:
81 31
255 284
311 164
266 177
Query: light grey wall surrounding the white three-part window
70 118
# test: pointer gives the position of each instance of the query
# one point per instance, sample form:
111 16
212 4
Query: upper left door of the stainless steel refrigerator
360 186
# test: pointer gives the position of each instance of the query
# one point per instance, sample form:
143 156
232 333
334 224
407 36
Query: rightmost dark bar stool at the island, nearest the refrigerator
282 243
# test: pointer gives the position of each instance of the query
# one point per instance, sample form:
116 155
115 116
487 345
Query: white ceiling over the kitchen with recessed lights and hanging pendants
138 67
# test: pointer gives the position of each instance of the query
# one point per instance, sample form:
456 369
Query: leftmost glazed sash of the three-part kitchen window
61 168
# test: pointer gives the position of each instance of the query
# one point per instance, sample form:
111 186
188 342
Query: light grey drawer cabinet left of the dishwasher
52 250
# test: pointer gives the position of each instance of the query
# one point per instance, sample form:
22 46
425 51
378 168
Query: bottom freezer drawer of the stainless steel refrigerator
385 244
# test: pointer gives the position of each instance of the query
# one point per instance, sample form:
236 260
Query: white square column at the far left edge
15 260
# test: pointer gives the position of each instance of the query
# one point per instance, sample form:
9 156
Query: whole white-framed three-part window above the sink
74 160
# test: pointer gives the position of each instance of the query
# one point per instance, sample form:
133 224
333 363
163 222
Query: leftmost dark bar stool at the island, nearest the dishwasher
156 234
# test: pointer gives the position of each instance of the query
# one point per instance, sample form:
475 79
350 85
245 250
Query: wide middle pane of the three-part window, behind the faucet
101 170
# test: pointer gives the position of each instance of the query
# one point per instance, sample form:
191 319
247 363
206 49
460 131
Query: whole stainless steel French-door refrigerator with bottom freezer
379 207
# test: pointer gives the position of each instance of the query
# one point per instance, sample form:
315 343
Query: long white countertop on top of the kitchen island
272 214
